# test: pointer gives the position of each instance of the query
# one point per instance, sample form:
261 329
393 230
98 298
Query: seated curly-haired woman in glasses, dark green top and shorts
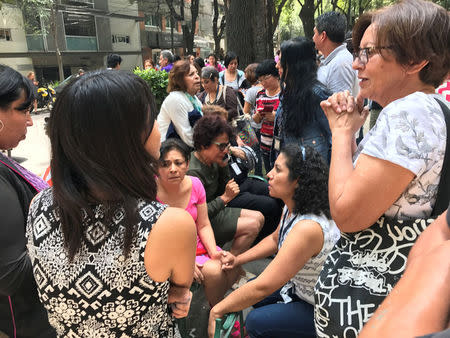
209 163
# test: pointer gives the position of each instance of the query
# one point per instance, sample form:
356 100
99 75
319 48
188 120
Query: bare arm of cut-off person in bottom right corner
420 302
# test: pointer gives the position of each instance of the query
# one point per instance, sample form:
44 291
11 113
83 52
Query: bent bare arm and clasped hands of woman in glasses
358 196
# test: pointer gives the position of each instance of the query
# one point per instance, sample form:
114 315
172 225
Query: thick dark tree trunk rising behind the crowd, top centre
240 30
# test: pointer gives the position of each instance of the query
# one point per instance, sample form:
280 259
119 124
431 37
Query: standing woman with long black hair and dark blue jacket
300 119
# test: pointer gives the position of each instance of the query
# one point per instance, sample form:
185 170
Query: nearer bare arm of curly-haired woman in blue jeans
303 241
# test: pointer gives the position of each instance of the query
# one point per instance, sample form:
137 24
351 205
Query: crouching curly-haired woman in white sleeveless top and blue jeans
282 294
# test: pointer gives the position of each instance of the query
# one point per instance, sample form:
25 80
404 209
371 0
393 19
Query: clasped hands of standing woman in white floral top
344 112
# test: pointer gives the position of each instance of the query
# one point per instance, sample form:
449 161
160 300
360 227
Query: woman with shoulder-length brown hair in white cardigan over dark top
181 108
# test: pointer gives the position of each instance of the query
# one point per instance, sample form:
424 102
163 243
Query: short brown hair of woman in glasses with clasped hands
417 30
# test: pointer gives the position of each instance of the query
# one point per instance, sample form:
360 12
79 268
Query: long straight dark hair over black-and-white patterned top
98 129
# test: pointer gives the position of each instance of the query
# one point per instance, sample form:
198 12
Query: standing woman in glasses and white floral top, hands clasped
396 169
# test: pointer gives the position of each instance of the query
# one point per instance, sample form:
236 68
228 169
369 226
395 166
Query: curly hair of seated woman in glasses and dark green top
208 128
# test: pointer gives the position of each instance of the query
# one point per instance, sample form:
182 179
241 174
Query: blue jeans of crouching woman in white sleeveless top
271 319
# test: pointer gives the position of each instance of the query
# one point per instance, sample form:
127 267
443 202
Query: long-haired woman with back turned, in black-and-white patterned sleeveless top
102 248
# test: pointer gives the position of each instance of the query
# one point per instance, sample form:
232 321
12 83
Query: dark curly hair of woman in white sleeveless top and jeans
311 194
